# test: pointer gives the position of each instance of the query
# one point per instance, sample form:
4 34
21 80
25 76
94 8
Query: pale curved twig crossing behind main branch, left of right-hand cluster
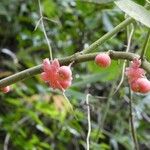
124 63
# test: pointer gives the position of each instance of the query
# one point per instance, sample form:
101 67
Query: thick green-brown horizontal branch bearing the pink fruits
76 58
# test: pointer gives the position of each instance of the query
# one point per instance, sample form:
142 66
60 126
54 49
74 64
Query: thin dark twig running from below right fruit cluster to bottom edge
133 131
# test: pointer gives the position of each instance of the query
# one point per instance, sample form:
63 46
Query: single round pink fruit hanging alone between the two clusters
103 60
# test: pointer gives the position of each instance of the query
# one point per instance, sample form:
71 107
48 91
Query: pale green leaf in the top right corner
135 11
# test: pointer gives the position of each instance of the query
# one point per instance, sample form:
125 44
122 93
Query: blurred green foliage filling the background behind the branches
33 116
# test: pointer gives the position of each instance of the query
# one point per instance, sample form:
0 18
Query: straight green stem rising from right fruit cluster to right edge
145 45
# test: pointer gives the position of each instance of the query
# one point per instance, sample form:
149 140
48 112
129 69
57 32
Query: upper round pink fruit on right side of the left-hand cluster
65 73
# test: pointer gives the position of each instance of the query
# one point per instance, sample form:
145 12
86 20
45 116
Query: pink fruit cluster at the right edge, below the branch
136 77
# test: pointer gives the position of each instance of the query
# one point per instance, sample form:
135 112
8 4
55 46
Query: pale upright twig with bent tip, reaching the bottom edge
89 123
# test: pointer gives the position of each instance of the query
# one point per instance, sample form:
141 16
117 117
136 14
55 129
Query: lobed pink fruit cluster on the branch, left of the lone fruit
58 77
